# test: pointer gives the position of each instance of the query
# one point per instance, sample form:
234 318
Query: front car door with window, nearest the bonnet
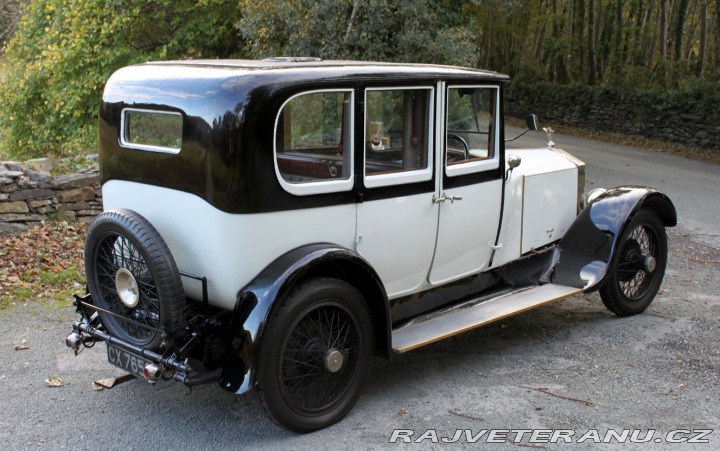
470 178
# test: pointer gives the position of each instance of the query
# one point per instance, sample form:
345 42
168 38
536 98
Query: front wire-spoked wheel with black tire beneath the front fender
638 266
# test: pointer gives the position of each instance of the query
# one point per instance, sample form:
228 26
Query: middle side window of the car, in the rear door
398 134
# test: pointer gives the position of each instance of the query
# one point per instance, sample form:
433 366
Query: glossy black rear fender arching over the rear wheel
257 299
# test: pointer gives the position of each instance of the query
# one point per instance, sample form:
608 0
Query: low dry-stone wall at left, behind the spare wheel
29 195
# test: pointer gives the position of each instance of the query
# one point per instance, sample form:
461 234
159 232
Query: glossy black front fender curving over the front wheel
589 245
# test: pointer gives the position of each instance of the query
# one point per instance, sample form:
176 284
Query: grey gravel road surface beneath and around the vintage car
569 365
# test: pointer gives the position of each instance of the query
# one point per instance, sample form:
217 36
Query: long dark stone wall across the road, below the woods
690 118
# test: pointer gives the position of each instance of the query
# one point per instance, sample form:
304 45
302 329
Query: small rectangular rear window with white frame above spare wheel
154 131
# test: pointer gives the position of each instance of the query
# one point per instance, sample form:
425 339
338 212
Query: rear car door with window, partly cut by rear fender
397 220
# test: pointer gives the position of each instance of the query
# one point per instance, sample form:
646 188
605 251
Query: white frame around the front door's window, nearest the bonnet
472 167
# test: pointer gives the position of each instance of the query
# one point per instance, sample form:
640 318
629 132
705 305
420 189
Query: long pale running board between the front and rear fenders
472 314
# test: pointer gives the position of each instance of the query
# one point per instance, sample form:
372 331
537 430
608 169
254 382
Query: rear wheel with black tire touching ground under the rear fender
316 355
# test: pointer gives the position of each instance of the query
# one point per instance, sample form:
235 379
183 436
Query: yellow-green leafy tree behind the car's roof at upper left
65 50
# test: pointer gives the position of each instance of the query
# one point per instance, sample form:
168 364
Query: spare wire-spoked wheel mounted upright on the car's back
131 273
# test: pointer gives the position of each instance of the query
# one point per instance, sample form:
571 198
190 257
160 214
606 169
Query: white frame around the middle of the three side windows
402 177
